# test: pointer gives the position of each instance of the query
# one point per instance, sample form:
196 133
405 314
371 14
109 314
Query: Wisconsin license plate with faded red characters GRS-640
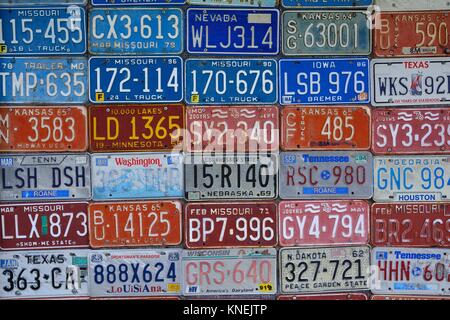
238 271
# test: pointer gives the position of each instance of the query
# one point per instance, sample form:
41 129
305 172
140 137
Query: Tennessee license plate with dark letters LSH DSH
44 177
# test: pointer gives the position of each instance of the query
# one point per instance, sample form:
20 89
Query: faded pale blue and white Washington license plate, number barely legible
140 175
